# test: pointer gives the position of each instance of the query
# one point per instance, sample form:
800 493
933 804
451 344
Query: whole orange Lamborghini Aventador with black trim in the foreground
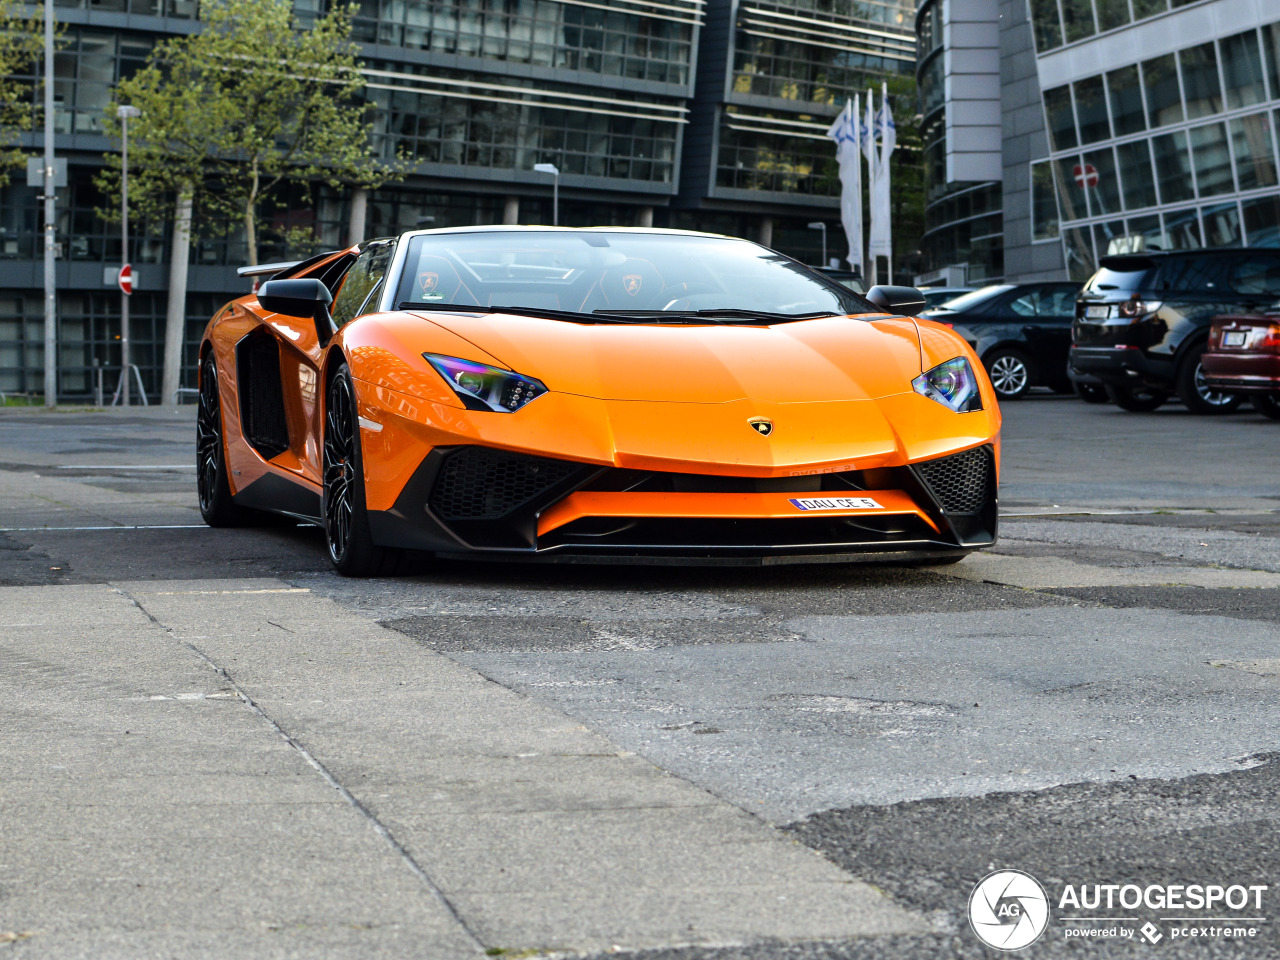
610 395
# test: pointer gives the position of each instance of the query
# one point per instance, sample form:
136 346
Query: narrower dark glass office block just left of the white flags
771 77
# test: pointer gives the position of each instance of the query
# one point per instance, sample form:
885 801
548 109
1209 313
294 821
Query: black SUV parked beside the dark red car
1142 322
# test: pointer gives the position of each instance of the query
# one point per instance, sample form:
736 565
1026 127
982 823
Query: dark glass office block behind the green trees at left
476 93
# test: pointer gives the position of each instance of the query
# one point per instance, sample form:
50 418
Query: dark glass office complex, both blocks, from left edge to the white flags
705 115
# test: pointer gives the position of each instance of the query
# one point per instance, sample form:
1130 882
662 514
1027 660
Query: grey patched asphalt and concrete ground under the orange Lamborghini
212 746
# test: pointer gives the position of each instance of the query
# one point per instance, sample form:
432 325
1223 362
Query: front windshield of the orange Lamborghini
618 276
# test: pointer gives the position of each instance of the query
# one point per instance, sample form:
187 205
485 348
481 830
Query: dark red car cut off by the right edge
1244 356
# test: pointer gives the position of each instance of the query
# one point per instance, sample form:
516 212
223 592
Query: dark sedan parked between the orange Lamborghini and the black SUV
1022 332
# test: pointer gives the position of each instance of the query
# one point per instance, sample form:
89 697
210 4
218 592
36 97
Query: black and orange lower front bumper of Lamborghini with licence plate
482 502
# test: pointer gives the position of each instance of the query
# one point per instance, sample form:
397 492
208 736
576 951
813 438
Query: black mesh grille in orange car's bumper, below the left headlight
477 483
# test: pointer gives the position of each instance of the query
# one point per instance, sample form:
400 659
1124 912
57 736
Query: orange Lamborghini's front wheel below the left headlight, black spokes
346 518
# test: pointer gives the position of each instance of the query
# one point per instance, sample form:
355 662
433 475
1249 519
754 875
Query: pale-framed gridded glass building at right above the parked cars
1131 125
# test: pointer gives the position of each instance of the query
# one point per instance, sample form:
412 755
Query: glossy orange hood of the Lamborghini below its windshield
804 362
